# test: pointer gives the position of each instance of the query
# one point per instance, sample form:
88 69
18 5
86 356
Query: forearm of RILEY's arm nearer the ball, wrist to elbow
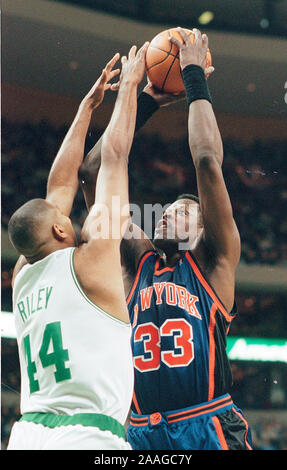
118 136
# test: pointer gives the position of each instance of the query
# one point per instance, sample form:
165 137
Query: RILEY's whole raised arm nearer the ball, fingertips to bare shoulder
97 261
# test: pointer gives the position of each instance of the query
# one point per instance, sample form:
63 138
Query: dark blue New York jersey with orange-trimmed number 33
178 338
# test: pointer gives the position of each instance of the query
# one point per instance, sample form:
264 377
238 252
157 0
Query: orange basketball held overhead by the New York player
162 62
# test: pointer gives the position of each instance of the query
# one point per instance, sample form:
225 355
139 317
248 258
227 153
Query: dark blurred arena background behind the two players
53 51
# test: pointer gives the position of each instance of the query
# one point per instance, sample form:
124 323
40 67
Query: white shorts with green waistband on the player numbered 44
31 435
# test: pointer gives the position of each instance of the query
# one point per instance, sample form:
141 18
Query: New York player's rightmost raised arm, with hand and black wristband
220 234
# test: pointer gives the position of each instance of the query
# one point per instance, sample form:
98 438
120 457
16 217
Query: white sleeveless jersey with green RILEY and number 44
74 357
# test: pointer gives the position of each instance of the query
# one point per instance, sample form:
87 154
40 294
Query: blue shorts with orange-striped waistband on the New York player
214 425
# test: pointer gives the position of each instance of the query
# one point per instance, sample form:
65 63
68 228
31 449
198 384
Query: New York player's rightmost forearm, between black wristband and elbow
204 136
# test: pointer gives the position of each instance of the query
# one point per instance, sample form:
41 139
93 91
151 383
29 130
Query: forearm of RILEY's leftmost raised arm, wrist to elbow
64 171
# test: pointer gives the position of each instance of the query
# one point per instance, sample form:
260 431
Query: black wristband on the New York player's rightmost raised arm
195 83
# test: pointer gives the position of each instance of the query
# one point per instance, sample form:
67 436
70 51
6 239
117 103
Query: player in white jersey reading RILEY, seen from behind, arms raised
72 323
